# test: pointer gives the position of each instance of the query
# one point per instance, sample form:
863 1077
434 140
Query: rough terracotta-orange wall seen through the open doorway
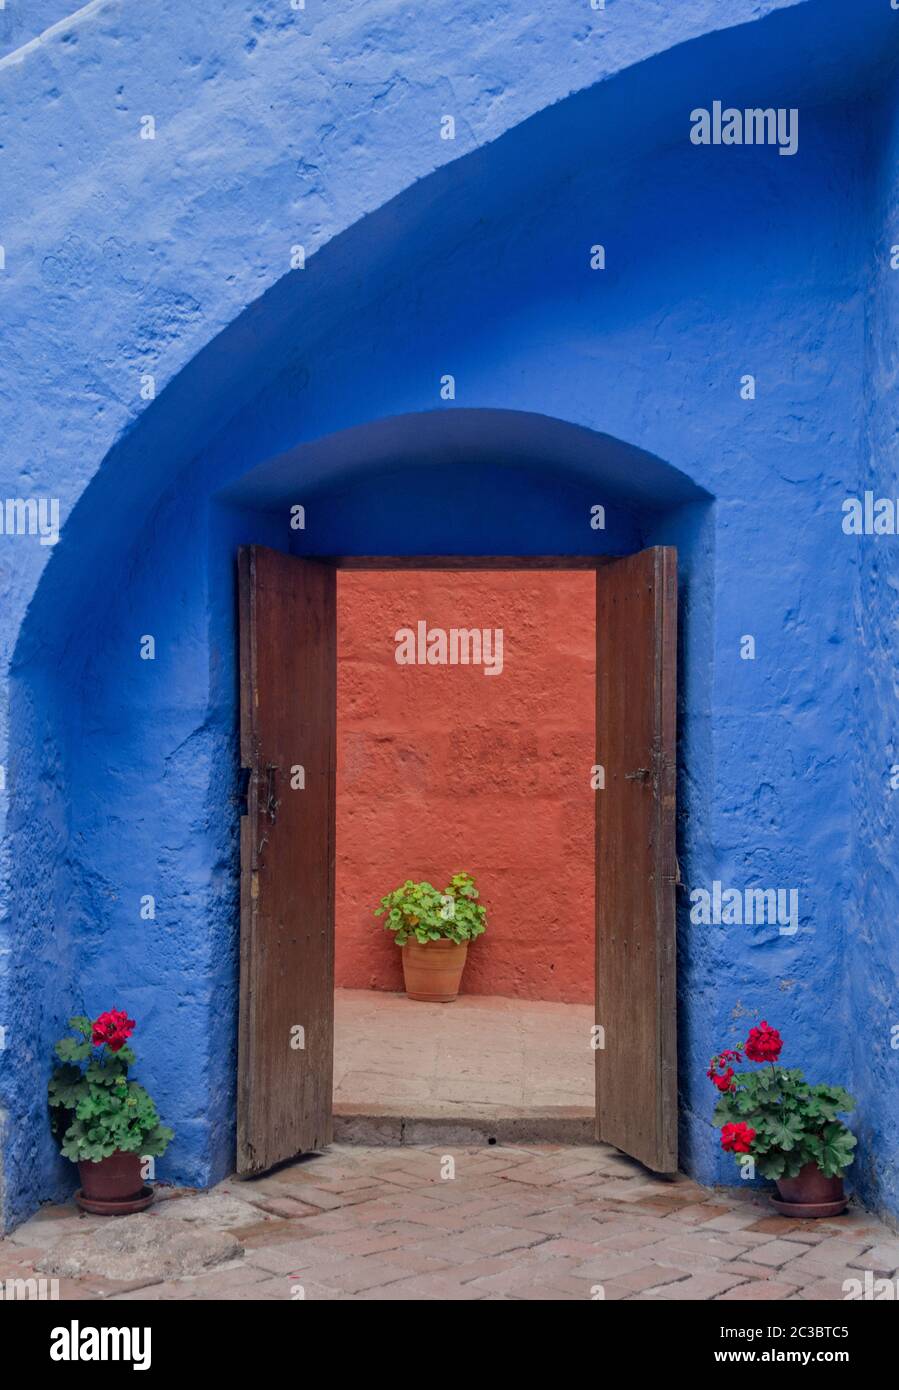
443 769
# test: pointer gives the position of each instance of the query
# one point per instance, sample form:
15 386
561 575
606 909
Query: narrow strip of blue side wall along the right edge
873 940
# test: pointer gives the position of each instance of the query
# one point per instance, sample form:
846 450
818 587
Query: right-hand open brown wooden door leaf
636 857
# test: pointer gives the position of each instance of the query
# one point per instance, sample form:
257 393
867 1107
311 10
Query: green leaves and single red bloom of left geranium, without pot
98 1111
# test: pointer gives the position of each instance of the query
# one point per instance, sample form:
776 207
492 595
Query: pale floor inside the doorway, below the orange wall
475 1057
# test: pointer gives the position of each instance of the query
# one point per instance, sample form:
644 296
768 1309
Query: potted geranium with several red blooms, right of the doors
787 1128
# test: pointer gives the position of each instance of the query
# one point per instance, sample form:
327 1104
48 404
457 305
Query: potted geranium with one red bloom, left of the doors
105 1122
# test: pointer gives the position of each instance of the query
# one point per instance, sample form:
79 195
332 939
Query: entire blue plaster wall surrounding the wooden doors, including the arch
573 387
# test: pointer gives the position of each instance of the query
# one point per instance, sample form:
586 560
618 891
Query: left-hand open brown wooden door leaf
288 742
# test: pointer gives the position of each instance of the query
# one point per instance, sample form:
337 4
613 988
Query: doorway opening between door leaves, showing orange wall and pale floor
476 760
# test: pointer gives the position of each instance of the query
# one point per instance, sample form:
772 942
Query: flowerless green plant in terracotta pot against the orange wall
434 931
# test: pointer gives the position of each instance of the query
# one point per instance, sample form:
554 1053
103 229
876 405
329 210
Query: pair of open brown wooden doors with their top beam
288 750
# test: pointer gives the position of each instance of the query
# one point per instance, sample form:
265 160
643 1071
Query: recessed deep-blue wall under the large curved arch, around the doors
569 386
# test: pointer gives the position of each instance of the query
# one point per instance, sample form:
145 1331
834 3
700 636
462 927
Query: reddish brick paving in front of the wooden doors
383 1224
